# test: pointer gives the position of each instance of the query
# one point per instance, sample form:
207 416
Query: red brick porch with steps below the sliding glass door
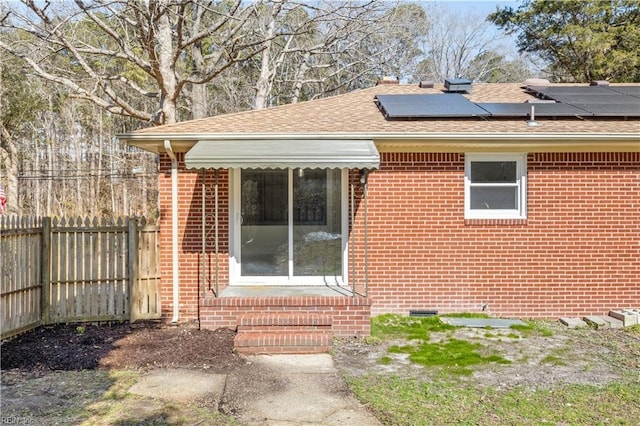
295 321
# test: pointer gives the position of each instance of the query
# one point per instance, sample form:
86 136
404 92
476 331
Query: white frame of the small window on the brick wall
520 212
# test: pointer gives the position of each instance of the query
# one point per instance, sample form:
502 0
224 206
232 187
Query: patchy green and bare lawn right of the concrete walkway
420 371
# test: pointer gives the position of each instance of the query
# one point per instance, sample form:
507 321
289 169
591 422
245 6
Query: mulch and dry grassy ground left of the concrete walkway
70 374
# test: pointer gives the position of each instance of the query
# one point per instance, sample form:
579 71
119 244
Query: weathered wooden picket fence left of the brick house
77 270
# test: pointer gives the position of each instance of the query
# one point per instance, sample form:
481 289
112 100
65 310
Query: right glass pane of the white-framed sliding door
317 225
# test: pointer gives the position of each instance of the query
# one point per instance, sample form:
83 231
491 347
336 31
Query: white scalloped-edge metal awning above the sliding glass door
283 153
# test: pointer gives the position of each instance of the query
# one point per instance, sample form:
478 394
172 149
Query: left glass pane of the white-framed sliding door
264 230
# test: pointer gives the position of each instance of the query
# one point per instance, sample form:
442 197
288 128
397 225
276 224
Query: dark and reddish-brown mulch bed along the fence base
144 345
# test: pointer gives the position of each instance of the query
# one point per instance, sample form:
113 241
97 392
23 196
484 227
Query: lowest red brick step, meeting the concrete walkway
282 342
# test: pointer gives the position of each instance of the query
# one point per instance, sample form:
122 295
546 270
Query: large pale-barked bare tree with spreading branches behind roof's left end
118 47
